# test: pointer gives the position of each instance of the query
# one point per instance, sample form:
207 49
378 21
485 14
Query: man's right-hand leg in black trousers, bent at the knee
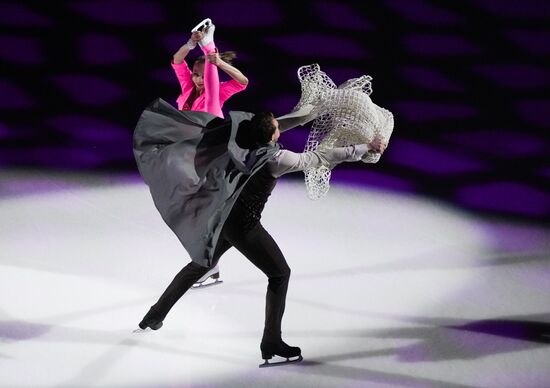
260 248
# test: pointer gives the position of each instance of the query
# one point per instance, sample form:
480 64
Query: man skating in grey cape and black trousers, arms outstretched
211 186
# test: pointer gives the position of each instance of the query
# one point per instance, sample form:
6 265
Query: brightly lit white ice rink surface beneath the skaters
387 290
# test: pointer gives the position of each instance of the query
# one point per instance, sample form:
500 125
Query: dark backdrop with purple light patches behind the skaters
467 82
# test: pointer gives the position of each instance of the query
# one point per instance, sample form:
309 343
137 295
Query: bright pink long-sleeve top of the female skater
227 89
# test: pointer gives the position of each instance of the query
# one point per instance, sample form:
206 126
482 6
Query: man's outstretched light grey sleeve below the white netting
286 161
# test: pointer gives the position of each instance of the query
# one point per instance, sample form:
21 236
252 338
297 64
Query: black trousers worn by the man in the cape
257 246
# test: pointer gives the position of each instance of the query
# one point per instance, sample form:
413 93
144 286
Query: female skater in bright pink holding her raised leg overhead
201 89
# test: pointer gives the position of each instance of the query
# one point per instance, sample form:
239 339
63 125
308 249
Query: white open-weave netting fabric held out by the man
345 115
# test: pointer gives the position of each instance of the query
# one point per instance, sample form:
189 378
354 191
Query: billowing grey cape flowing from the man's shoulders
196 165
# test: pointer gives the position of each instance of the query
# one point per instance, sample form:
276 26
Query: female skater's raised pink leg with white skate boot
211 77
